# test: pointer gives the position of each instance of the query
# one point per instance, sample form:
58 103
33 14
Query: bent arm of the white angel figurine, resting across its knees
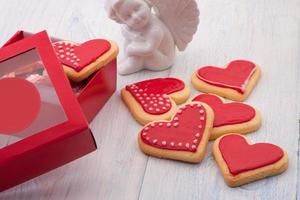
152 42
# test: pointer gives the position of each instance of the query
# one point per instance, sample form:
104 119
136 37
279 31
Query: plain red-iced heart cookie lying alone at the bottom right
241 162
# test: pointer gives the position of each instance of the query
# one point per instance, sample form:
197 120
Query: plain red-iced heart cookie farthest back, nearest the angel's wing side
235 82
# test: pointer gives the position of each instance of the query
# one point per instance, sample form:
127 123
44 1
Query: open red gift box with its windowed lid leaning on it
48 117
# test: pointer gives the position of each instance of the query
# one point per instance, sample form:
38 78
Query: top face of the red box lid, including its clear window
37 101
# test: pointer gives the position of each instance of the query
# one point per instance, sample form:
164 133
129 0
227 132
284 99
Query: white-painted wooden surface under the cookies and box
267 32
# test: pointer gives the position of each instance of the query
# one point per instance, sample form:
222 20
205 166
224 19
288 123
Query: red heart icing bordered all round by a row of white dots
183 133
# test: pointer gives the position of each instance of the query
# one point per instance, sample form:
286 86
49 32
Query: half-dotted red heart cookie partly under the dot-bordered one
155 99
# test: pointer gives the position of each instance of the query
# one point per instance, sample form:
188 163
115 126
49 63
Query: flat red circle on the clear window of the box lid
20 104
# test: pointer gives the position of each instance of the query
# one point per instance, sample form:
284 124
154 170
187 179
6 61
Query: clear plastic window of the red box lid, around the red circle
28 66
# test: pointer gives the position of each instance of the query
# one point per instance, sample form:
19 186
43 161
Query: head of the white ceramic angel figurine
134 13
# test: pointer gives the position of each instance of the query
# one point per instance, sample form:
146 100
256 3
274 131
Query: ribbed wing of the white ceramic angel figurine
181 17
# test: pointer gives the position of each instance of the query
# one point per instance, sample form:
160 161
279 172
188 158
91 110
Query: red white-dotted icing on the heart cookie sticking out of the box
77 56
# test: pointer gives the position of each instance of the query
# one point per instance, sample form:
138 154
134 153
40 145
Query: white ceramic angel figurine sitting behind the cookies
152 29
